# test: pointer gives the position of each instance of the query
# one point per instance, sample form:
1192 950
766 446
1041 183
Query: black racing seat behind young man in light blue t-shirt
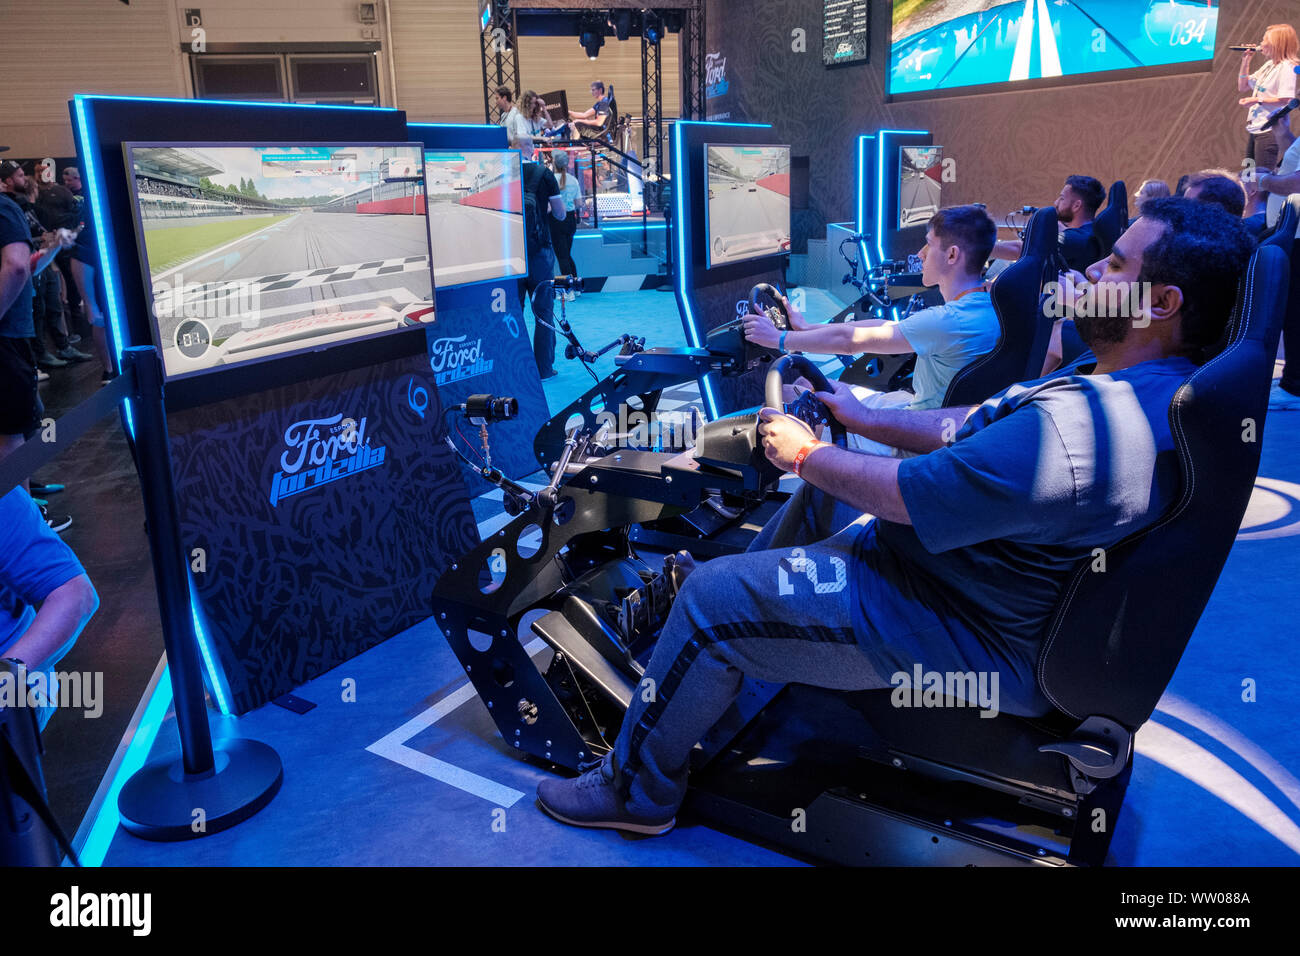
1017 296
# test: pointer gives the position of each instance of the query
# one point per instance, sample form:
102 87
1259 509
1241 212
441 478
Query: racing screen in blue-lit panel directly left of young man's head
749 202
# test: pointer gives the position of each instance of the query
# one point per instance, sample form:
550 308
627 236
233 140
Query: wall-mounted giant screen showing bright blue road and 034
946 45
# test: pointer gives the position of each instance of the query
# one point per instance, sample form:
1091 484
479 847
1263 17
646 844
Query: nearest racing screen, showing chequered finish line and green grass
257 252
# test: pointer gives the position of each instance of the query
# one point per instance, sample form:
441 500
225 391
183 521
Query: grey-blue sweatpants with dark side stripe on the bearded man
783 612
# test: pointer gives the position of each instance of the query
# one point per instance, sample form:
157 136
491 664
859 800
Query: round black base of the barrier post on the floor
162 803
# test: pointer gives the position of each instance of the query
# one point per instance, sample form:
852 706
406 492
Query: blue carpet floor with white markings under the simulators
414 772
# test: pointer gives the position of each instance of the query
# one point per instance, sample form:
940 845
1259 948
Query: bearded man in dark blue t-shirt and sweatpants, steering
972 544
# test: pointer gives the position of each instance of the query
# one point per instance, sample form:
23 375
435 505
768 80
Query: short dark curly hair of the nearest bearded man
1204 253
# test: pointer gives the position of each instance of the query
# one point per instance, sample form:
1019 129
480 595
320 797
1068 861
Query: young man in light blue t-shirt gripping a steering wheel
946 338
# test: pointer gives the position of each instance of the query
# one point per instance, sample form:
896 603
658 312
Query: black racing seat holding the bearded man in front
1116 638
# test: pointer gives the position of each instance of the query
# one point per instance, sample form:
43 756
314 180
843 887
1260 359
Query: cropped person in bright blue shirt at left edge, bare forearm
37 569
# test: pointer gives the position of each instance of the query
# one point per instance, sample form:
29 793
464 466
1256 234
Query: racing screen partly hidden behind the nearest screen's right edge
476 215
